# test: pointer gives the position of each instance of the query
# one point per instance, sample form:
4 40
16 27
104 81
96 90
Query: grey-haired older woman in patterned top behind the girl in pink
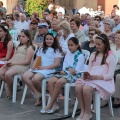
108 26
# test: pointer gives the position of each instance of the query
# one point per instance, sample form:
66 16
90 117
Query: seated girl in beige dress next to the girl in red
19 63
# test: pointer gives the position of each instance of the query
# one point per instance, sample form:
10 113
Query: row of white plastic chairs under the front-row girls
67 91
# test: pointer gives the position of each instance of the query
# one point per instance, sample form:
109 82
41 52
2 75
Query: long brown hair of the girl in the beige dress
27 33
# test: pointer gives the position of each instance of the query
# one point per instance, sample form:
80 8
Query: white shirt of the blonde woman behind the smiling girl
64 42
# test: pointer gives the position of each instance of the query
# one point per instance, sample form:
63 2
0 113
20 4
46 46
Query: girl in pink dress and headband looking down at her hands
98 78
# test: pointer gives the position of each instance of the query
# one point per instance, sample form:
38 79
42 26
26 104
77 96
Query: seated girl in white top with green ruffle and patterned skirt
73 63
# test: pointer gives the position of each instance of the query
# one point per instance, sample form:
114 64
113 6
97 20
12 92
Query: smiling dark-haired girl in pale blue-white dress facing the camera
50 55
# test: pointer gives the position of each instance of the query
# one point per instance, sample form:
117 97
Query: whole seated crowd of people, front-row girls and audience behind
60 37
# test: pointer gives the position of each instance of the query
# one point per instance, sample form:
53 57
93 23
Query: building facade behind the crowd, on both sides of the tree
70 4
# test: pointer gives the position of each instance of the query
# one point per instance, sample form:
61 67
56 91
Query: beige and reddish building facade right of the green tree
106 4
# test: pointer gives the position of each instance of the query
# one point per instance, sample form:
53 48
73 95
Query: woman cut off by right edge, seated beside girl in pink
116 50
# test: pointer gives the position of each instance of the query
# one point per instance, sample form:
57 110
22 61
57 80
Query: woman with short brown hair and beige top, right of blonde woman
75 24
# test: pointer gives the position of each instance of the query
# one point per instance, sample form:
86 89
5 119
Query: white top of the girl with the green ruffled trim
69 60
